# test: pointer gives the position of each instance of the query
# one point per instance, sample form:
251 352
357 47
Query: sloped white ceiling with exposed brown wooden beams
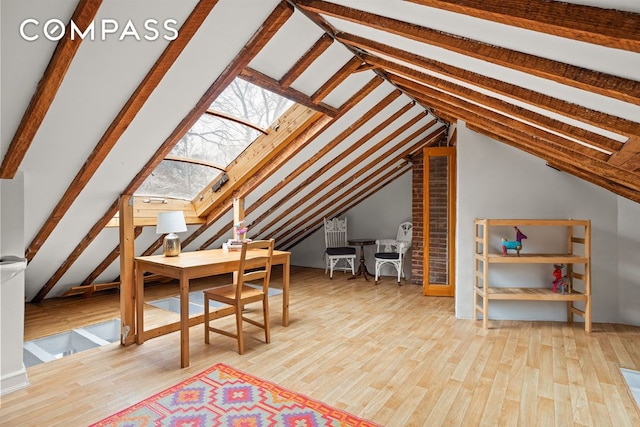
87 120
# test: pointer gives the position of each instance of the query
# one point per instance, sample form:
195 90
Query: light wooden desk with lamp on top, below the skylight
193 265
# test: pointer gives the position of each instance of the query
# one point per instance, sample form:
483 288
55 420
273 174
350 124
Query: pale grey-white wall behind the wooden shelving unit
497 181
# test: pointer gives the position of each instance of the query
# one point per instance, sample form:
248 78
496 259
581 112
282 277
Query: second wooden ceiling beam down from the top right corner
593 81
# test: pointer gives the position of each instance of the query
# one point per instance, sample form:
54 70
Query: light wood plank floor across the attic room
385 353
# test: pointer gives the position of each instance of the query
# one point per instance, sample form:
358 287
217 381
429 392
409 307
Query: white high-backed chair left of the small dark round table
336 249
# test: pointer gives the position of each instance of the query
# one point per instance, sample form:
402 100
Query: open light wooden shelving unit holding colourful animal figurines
485 257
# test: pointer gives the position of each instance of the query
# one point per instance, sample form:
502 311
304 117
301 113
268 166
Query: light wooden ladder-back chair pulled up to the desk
255 265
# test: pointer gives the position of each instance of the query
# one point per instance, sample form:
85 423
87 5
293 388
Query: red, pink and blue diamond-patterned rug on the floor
223 396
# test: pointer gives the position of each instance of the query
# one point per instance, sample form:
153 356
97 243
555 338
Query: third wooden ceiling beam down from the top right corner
555 105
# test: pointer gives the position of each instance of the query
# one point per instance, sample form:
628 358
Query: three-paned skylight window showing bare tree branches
233 121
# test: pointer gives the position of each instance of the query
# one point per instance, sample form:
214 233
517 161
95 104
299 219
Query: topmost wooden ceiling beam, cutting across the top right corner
606 27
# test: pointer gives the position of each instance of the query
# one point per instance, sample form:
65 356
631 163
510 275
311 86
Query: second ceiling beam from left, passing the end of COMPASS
121 122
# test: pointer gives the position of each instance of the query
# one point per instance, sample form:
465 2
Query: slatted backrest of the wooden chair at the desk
256 258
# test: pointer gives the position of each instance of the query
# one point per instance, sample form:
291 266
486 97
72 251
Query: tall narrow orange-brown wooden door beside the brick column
439 221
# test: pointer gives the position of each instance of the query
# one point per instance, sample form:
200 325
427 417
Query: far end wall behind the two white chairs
377 217
